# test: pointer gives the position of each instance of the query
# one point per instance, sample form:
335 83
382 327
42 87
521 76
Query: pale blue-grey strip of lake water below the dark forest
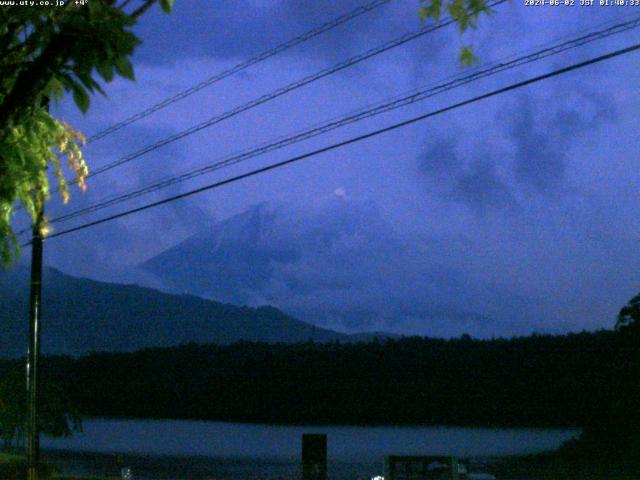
282 443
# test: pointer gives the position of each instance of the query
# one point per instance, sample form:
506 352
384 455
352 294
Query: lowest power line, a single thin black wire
350 141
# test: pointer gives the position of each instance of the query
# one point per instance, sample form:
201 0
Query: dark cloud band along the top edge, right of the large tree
241 28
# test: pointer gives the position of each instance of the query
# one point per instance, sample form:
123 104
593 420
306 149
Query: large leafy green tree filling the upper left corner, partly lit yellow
45 53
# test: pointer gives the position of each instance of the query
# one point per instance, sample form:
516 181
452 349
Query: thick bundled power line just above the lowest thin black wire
397 102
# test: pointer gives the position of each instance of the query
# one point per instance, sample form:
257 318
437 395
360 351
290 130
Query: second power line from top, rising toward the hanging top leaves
281 91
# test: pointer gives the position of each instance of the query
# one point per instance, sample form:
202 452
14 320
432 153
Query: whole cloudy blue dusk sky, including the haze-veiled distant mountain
512 215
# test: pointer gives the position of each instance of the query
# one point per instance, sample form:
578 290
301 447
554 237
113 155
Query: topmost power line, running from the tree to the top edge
241 66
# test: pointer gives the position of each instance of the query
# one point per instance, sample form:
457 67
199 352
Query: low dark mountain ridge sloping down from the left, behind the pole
81 315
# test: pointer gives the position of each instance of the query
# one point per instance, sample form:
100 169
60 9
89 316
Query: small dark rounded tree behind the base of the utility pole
58 417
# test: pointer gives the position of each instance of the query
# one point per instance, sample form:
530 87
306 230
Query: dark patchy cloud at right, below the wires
482 175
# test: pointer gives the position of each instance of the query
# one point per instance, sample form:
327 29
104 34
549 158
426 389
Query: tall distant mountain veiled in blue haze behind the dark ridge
339 264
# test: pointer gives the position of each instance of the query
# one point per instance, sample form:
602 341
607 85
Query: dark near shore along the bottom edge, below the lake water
550 465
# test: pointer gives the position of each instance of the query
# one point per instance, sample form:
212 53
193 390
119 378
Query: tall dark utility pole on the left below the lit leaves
33 354
